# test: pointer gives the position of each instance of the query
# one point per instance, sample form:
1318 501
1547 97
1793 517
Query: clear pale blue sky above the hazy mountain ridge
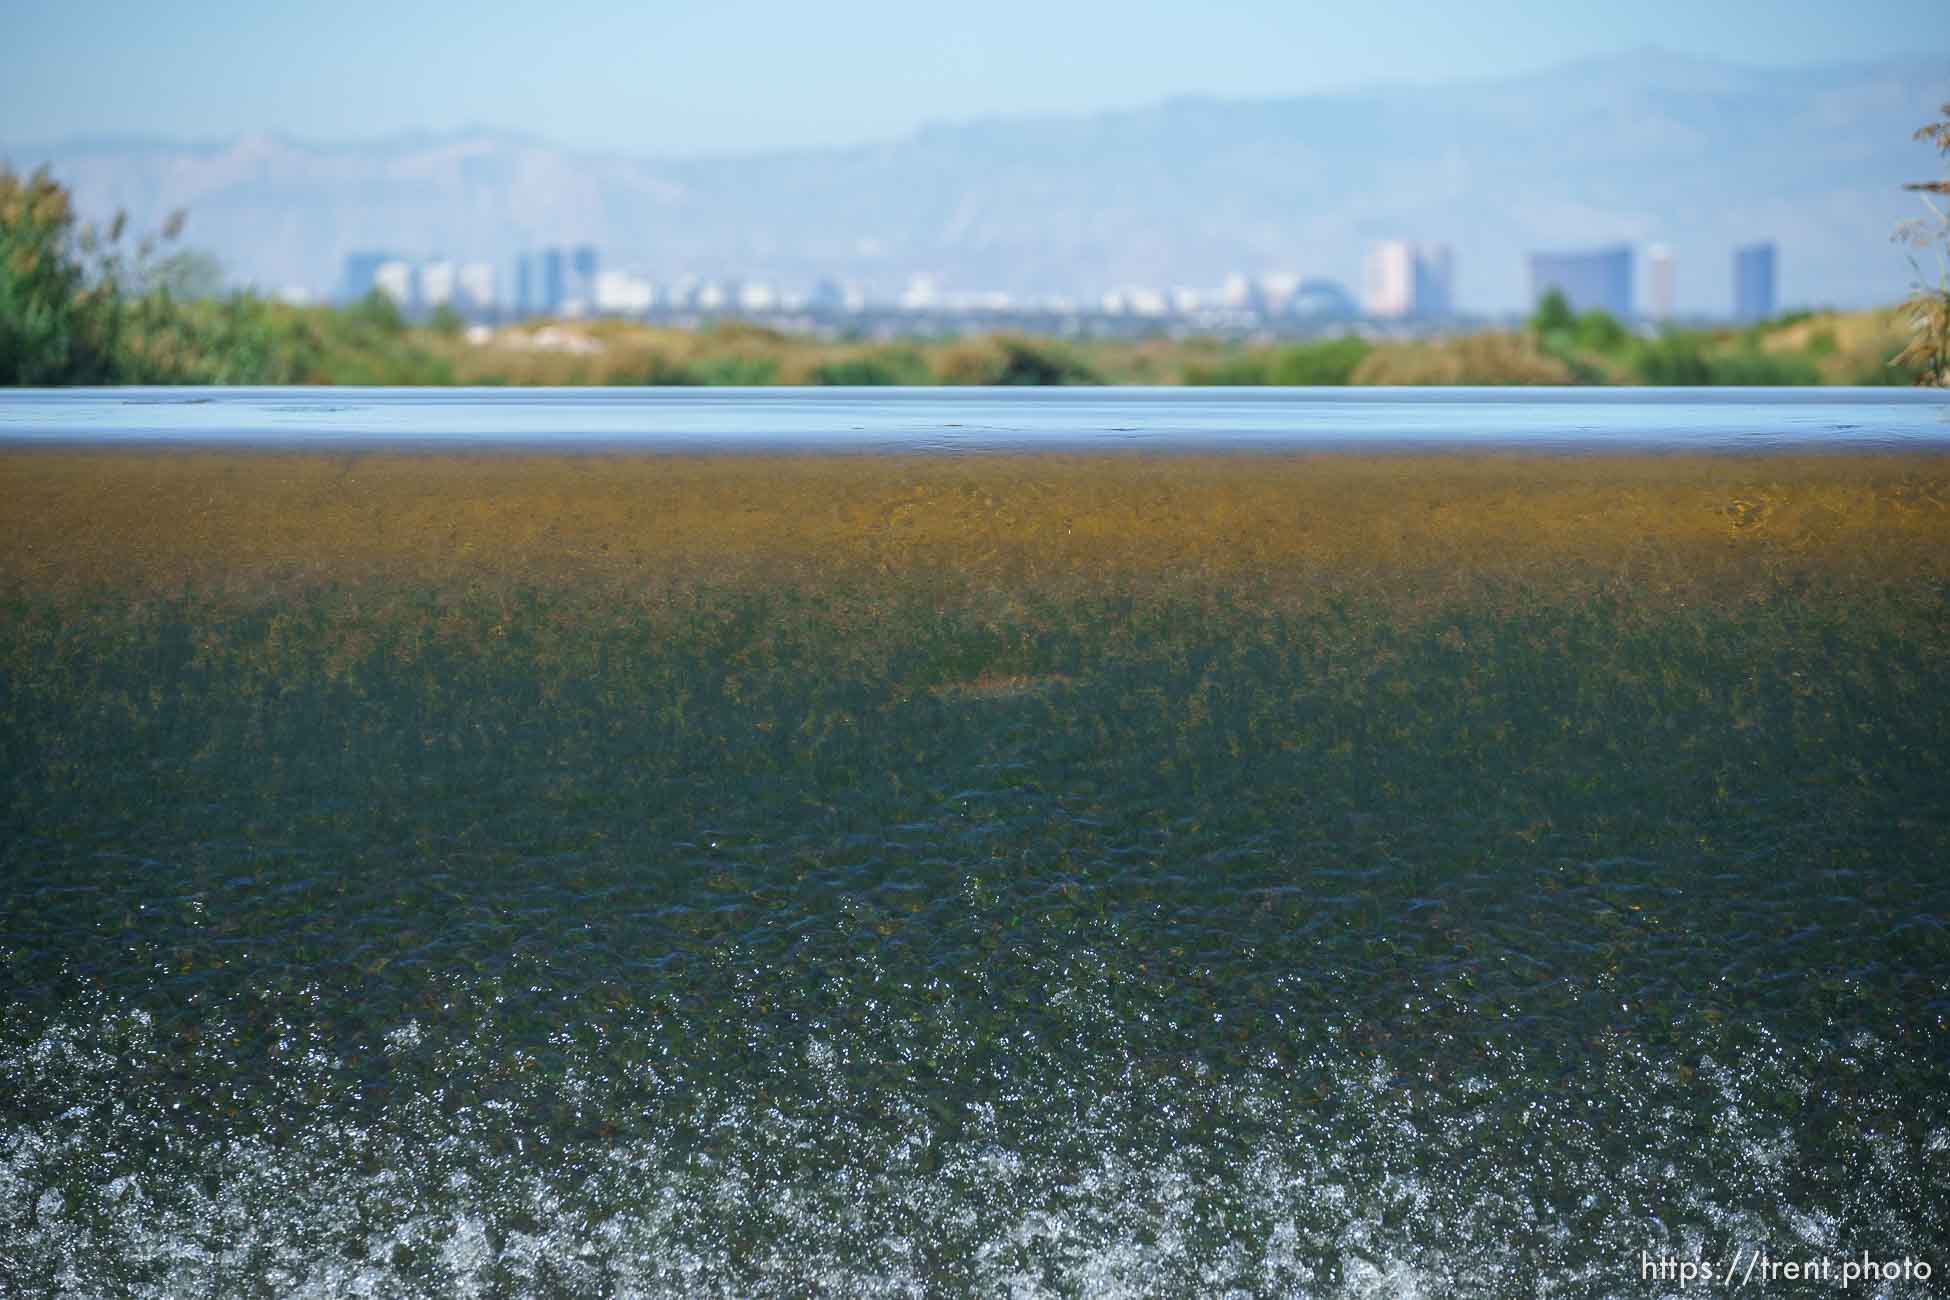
760 75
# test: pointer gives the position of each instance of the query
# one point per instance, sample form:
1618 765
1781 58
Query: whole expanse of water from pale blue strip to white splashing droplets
1462 849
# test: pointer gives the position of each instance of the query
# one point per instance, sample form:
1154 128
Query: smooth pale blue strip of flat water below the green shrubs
988 420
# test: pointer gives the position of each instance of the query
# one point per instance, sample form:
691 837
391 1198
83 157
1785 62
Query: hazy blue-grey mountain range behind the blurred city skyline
1645 149
